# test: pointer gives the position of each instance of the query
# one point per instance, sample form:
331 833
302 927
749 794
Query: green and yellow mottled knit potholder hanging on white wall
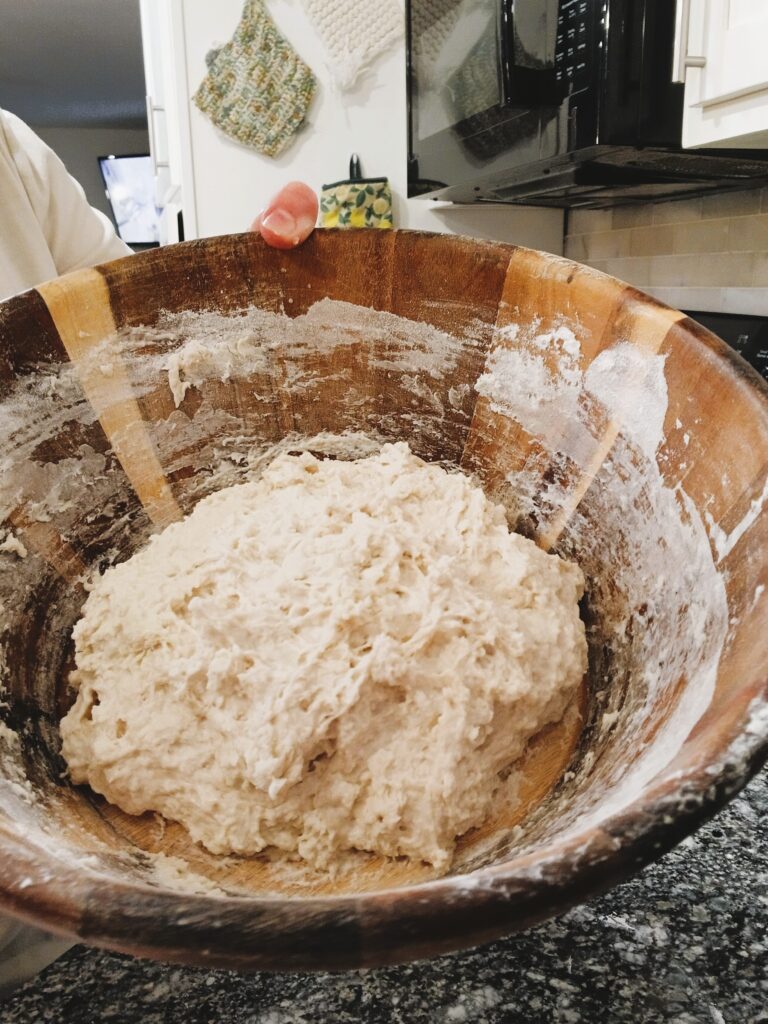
258 89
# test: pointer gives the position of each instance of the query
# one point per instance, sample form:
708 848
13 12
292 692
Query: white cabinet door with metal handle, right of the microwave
727 81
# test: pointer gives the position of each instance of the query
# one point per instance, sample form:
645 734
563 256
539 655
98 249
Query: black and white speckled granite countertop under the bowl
686 942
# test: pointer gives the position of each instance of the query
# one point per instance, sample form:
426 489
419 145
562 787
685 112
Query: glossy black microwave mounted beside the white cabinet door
554 103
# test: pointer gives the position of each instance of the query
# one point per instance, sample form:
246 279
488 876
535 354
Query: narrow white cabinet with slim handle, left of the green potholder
167 115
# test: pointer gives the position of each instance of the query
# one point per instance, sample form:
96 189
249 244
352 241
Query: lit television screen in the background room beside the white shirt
131 190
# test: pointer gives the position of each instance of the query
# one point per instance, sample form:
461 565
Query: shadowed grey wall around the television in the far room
81 148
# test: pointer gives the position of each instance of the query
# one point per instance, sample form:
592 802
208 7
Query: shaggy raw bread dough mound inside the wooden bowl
339 656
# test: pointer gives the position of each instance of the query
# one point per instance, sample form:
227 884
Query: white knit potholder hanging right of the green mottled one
354 34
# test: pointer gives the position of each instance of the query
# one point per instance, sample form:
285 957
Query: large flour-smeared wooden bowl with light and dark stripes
613 430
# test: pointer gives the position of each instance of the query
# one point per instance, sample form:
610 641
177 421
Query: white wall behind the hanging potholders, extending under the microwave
232 183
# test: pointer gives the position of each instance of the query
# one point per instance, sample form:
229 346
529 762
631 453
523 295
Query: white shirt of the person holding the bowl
47 226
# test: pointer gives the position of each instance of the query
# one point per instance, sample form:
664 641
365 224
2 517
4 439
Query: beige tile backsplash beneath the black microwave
709 253
